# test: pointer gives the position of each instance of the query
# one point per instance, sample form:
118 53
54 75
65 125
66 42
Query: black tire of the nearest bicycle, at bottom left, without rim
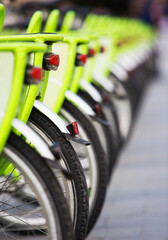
32 157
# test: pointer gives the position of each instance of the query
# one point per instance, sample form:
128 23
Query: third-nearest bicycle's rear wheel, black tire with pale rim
92 160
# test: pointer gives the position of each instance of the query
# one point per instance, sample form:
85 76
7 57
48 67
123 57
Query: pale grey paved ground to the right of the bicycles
136 206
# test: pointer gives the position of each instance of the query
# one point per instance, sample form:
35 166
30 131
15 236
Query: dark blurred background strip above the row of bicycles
150 11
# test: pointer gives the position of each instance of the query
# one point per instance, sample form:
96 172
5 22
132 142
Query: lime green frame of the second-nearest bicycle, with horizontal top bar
33 91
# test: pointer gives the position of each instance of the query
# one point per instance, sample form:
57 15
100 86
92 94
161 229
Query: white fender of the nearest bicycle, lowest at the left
34 138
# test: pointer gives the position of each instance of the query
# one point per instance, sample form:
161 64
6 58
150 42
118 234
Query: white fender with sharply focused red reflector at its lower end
51 115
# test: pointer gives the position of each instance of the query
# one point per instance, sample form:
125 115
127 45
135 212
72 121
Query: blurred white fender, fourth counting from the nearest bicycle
91 90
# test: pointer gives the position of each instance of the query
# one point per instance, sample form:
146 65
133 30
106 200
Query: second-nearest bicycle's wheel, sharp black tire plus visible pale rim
76 189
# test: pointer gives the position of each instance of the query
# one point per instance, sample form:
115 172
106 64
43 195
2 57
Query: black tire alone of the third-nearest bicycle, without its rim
92 136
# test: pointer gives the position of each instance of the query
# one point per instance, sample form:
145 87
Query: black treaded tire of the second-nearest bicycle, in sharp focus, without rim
54 134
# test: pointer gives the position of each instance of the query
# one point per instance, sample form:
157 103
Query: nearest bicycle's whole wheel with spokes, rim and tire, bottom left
31 201
